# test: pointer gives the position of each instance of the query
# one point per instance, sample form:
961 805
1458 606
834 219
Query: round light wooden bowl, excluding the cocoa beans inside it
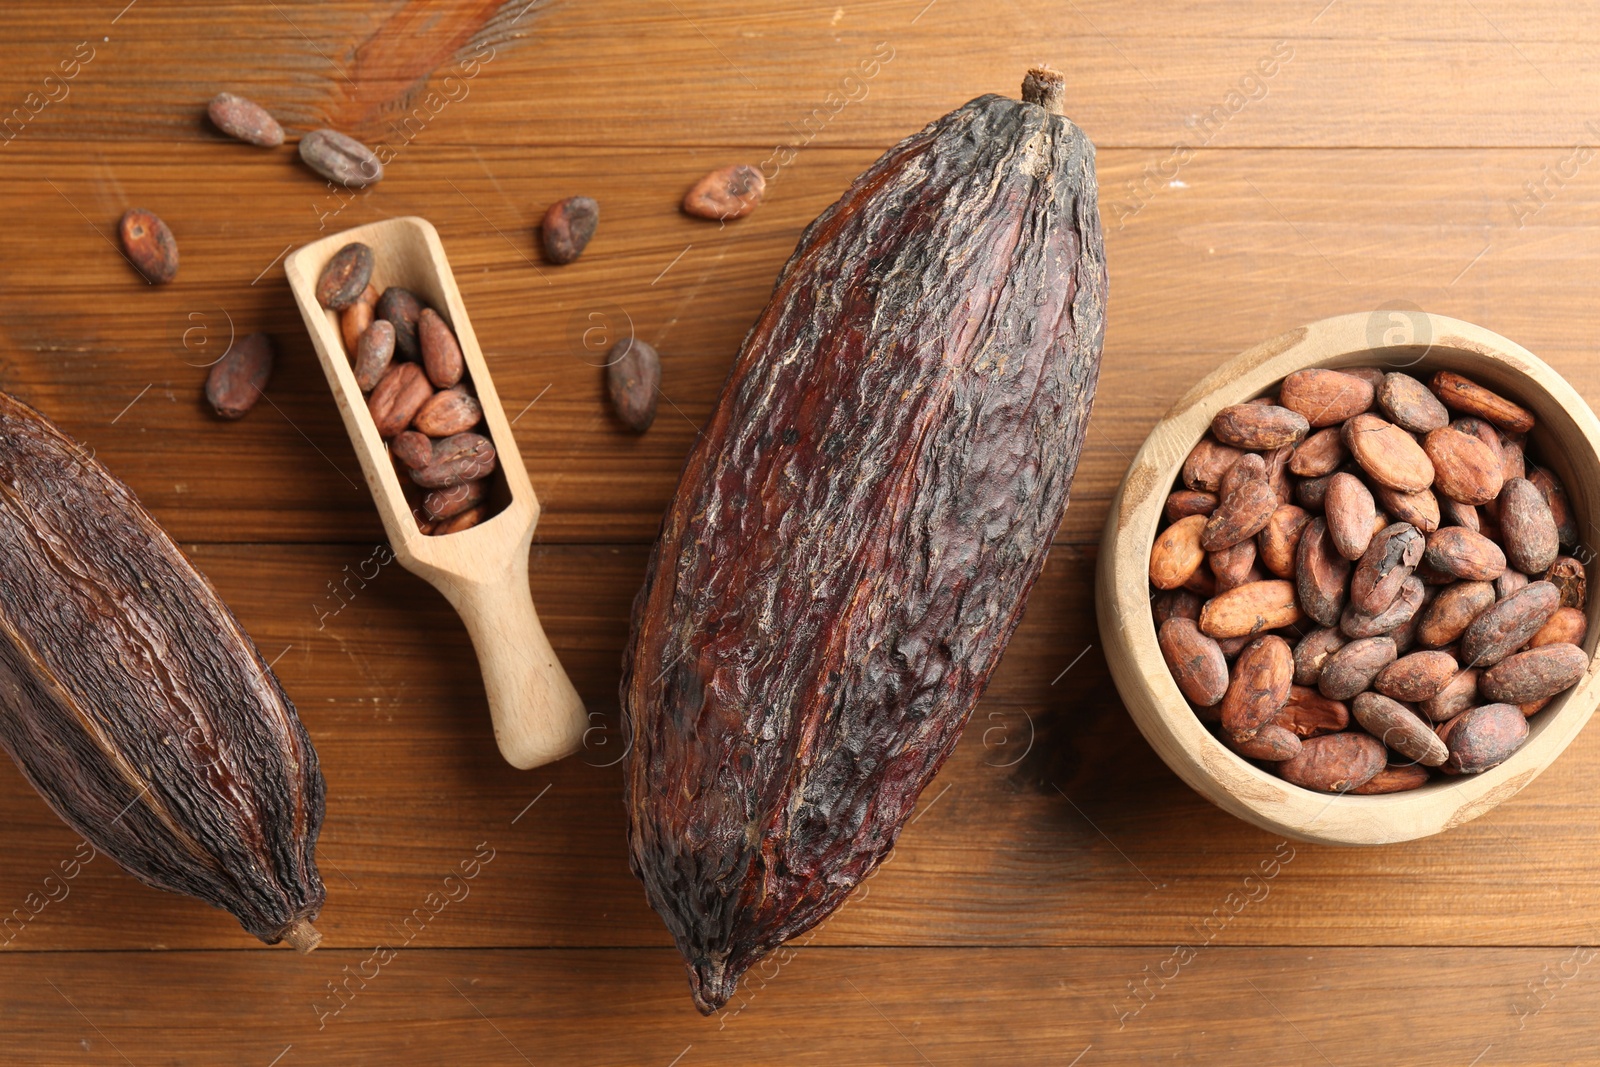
1567 441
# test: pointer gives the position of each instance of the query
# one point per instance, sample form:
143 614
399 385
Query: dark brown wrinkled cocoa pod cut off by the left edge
135 705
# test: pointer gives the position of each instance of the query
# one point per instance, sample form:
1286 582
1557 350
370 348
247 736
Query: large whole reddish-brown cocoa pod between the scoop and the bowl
858 526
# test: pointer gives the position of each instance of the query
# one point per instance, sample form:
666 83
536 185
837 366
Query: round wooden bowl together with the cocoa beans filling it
1343 589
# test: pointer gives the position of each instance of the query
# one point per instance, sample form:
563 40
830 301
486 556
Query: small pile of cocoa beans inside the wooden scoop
409 364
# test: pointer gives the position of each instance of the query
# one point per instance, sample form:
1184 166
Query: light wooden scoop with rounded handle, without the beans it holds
484 570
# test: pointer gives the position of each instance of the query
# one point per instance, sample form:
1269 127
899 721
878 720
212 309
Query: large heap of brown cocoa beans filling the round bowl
1356 589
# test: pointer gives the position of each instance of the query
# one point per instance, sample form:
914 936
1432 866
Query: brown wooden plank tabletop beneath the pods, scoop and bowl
1033 909
